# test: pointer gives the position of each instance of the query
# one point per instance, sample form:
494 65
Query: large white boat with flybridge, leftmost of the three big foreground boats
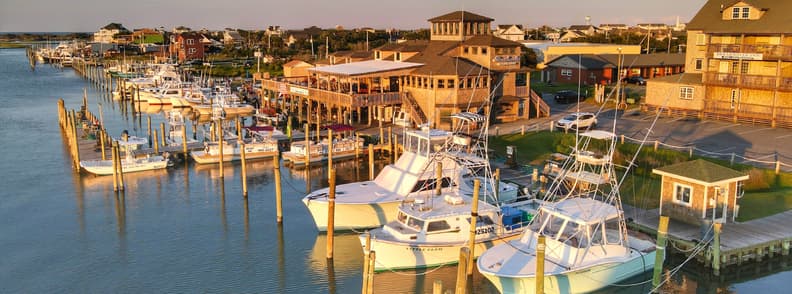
370 204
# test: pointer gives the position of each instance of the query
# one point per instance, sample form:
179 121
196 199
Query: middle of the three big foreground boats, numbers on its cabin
430 228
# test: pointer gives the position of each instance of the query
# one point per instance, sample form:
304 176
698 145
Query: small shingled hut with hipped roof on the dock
699 191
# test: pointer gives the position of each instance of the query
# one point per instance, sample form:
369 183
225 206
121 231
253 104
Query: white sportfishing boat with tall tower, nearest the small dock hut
588 246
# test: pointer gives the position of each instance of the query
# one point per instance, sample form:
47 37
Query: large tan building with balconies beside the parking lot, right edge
738 65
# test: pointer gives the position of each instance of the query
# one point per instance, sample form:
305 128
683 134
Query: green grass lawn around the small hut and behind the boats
765 192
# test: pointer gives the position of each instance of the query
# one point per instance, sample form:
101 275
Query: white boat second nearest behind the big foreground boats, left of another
254 149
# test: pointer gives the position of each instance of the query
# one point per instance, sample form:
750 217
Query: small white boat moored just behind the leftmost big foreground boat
342 149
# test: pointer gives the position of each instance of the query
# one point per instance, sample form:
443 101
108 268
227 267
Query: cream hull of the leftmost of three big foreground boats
357 216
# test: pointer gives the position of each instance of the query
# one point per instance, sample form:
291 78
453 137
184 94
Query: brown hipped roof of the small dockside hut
701 170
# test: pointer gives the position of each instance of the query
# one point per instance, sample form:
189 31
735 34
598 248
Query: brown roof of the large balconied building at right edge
776 18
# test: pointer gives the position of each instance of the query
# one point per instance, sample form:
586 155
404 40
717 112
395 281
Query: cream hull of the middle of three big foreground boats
399 255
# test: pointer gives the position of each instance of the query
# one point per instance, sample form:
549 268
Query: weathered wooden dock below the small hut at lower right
740 242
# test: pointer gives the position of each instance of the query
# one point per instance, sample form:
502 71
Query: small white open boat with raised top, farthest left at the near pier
129 163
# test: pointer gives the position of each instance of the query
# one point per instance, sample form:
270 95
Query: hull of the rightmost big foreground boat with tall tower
580 281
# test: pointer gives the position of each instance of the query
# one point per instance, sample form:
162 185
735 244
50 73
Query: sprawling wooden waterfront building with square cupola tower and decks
463 67
